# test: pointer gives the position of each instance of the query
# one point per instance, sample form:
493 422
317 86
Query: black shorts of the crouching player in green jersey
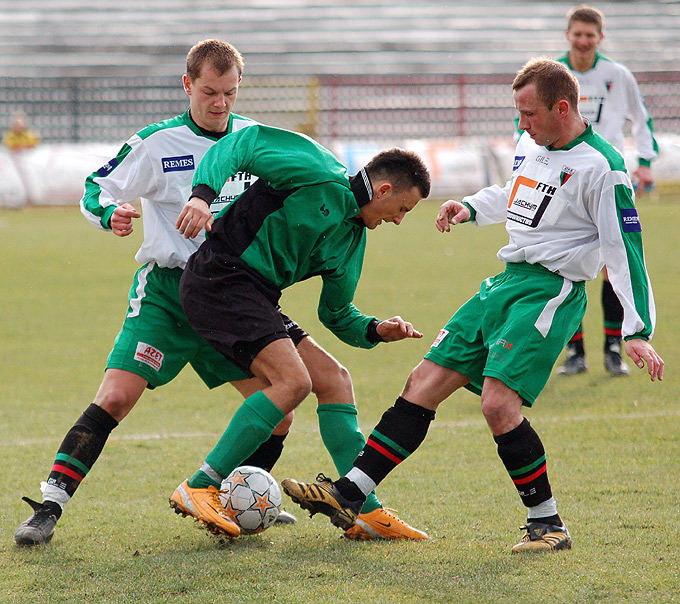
233 307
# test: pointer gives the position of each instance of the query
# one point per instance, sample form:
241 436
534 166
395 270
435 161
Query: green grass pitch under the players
613 445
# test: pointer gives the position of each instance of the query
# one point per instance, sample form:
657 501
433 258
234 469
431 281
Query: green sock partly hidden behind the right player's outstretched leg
341 435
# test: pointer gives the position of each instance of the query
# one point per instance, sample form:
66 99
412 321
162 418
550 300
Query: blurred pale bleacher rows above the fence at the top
133 37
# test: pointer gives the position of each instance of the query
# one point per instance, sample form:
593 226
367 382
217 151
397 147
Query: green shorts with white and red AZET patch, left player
156 341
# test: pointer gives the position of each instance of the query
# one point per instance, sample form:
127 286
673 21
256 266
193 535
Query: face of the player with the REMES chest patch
212 97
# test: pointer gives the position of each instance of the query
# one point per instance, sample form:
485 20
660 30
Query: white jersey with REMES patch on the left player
157 165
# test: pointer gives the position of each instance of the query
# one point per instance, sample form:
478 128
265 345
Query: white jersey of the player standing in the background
610 96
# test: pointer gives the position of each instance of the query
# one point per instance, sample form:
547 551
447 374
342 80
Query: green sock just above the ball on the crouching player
251 425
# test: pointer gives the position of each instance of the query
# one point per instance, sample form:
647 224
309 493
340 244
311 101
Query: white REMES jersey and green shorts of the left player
157 165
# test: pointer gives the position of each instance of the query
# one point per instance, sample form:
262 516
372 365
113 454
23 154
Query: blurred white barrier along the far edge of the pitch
55 174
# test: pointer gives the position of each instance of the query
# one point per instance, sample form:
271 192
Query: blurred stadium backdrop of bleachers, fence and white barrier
356 74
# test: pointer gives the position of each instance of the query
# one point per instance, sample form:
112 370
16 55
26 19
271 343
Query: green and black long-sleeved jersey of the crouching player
307 227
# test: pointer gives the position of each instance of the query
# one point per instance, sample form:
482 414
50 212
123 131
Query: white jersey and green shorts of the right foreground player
567 212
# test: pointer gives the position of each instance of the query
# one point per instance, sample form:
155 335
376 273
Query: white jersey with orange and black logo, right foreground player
571 210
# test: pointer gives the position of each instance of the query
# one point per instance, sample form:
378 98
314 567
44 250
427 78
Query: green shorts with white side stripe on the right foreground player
513 330
